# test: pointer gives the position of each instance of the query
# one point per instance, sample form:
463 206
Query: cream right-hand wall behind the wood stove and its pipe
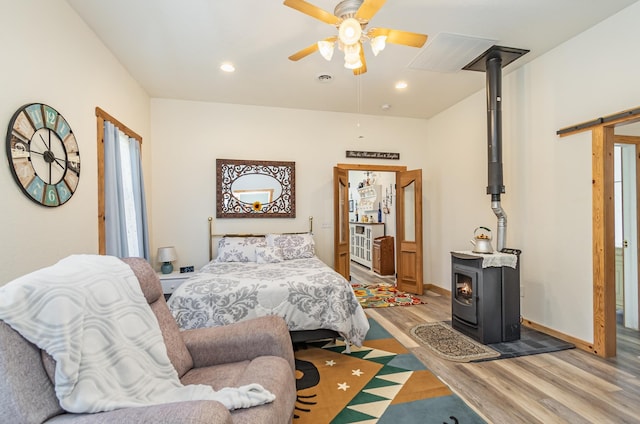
547 178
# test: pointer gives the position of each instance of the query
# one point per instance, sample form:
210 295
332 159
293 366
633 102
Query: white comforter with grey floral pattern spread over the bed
305 292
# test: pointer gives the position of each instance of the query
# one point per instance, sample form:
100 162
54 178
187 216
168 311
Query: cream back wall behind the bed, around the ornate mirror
189 137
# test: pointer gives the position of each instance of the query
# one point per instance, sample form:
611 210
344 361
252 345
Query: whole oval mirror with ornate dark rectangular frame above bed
255 189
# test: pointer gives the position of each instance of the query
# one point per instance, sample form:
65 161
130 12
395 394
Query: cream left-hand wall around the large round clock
50 56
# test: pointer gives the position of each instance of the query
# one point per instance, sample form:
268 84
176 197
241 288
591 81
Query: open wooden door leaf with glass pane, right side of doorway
409 231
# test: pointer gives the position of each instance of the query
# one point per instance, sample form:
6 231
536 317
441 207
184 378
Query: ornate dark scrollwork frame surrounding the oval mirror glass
229 170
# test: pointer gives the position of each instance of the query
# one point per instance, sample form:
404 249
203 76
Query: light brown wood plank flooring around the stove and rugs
570 386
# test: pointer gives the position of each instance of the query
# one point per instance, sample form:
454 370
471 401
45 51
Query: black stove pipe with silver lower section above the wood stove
494 143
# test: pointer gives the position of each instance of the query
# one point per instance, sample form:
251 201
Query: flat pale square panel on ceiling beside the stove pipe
448 53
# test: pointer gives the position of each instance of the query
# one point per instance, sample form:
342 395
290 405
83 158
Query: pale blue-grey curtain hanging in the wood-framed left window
126 232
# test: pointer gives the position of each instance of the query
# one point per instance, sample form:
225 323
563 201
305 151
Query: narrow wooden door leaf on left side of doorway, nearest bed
341 260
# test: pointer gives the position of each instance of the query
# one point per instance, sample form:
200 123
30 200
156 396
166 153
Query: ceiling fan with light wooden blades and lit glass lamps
351 17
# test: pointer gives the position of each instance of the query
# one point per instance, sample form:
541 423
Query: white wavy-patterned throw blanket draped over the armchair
88 312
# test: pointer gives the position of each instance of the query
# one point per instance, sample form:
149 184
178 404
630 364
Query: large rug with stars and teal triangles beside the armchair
381 382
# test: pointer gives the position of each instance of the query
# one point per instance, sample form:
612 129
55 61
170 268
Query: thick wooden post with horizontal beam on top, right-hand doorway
603 221
